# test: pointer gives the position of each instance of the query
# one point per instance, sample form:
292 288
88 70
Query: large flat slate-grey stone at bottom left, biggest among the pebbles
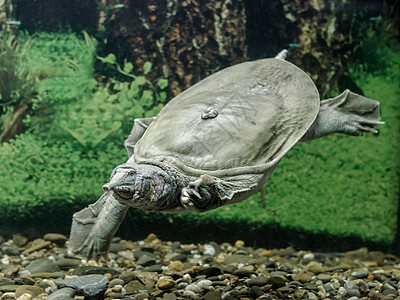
91 286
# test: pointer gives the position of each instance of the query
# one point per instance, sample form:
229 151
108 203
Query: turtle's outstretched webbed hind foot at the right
348 113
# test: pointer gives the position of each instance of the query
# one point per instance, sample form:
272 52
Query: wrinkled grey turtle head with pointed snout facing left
146 187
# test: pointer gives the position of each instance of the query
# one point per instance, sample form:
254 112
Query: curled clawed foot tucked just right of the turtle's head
200 195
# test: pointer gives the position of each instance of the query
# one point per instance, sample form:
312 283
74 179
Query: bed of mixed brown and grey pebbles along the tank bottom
155 269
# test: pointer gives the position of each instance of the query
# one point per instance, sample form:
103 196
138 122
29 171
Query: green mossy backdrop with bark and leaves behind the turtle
75 74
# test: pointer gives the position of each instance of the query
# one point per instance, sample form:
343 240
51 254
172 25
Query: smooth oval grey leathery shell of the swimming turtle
242 119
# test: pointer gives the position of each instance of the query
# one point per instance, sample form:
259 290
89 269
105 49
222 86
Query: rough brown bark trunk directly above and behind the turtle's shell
185 40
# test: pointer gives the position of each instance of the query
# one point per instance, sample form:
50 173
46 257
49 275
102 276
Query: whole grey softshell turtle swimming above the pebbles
217 143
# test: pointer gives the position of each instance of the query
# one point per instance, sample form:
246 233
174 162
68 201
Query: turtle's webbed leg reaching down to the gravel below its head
94 226
